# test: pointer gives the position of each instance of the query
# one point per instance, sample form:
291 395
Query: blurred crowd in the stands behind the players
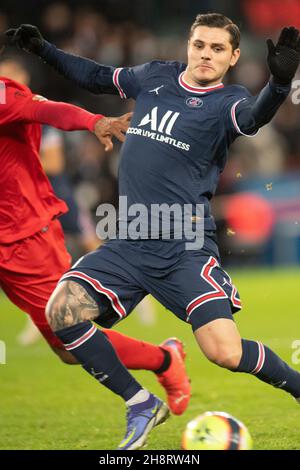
121 33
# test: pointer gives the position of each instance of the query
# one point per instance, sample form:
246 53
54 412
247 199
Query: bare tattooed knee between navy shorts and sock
69 305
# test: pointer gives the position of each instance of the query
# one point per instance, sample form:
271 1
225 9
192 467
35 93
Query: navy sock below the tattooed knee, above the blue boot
96 354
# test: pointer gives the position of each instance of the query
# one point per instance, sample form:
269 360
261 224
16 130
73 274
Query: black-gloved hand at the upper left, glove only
26 37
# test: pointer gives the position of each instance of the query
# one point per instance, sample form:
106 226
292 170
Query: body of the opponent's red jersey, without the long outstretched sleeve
27 200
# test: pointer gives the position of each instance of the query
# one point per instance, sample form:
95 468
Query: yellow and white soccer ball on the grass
215 430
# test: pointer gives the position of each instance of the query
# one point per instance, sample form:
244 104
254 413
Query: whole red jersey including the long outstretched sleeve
27 200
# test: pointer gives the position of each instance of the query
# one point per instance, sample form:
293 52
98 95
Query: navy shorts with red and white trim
191 284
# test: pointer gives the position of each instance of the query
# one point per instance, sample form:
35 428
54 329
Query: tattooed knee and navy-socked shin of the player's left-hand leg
70 312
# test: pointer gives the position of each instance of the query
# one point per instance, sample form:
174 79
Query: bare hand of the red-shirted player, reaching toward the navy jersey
108 127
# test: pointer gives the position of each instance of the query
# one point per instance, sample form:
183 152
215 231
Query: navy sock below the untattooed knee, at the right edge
259 360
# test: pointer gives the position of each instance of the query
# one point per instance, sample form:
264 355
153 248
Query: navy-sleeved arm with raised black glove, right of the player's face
283 61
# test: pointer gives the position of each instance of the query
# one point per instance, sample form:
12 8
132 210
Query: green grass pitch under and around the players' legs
45 404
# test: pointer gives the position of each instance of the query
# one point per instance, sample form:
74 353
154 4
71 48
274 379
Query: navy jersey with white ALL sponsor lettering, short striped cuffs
177 144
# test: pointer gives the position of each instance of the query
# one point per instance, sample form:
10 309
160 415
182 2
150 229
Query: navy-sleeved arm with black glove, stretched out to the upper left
84 72
